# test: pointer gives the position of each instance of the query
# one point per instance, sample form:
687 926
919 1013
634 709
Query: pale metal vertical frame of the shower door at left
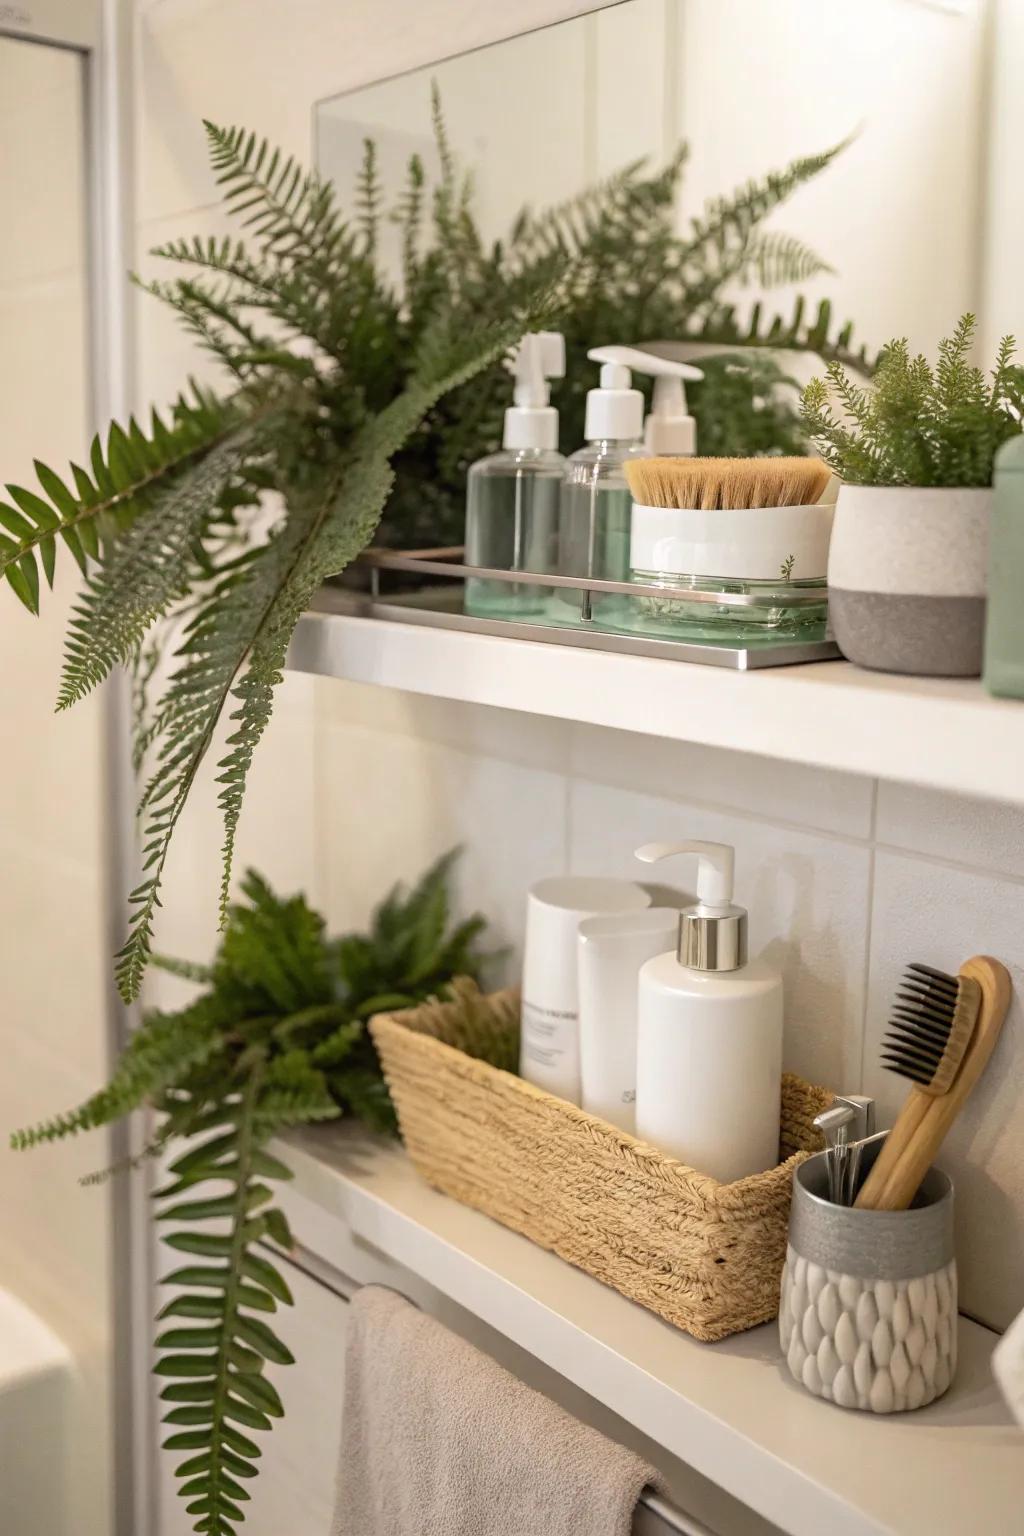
101 35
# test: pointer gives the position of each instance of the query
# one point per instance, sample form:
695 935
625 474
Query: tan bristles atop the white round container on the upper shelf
715 485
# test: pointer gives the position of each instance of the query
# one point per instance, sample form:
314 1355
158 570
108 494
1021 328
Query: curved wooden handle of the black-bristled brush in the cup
917 1154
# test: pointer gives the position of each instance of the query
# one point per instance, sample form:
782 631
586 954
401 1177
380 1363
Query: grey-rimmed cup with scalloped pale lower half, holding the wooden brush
868 1316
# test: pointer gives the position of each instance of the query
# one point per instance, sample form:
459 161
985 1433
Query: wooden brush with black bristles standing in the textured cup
942 1034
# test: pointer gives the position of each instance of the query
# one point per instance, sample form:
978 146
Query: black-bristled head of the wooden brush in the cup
933 1021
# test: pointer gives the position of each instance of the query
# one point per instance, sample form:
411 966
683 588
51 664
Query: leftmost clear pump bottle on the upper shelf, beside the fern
512 518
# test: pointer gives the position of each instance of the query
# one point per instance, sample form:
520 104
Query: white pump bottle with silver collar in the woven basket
710 1033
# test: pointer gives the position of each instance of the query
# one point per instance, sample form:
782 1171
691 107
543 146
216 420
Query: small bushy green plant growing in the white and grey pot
917 425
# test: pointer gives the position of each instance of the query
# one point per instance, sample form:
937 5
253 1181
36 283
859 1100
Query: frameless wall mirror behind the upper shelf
894 236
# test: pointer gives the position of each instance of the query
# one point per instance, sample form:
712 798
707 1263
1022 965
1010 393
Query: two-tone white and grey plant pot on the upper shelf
908 578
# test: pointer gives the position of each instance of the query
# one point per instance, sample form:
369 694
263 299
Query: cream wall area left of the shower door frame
55 1237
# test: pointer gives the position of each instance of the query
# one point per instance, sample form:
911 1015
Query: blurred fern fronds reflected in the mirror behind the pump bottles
636 277
